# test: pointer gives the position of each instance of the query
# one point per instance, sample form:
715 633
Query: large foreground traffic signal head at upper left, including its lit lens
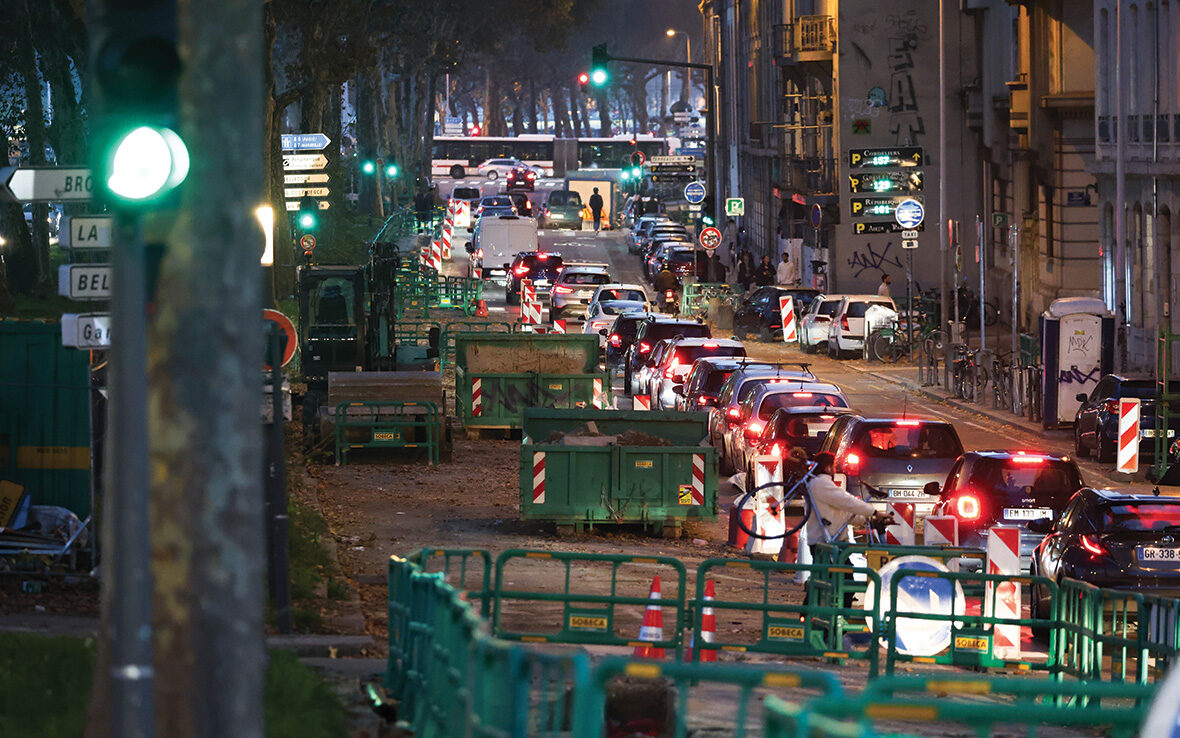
139 155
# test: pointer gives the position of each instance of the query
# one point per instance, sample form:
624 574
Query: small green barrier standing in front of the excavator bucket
386 424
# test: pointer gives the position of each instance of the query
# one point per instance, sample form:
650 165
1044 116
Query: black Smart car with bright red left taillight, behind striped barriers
1007 488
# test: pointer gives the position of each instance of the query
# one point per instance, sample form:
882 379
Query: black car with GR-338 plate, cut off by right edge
1111 540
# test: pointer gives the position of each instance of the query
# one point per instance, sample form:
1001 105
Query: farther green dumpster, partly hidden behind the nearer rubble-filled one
497 376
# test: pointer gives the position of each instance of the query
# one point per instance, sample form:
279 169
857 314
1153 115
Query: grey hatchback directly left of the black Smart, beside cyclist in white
894 458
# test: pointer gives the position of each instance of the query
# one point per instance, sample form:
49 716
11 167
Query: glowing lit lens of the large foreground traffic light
148 162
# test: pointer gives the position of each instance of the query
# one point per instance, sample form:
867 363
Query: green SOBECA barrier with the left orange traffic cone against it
588 617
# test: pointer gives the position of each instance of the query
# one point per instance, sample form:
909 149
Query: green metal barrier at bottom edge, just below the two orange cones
684 678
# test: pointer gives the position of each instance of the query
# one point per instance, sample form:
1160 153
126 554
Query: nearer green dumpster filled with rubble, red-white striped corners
614 472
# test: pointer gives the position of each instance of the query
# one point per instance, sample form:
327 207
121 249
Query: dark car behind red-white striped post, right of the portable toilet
1097 423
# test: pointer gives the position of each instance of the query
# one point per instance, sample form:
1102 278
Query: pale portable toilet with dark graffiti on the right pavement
1077 350
